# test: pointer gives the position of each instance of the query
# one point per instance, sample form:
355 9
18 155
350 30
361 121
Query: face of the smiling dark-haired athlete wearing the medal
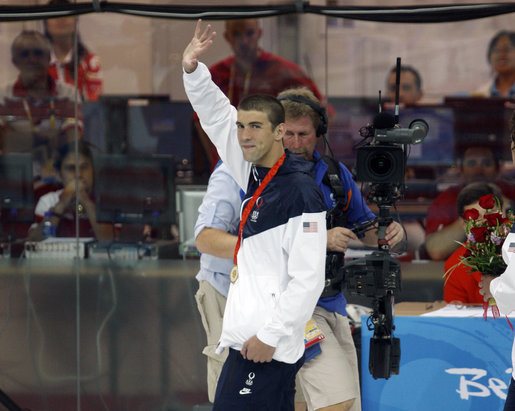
256 137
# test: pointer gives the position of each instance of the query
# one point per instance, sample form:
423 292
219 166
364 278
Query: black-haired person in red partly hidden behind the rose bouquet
462 285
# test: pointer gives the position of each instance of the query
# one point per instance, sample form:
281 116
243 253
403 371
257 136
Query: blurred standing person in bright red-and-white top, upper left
61 32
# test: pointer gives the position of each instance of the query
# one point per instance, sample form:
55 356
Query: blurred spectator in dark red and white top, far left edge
37 114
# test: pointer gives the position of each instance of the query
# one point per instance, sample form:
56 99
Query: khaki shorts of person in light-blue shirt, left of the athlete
211 305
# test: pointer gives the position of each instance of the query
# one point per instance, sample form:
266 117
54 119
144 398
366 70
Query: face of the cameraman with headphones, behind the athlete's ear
300 136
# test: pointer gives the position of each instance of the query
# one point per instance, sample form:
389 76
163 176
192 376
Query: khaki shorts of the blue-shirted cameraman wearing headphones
332 376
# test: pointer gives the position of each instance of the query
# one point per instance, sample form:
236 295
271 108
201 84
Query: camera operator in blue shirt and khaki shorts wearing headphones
330 380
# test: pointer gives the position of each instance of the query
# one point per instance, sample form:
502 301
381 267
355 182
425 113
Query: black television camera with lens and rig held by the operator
381 162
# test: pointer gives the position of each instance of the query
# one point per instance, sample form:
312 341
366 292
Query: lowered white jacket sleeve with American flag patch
306 249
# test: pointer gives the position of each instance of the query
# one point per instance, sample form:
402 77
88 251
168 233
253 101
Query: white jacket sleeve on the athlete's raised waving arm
218 119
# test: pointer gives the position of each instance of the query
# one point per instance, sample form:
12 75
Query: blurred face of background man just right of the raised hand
243 36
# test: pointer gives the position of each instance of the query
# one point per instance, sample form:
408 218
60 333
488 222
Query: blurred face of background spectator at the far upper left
32 58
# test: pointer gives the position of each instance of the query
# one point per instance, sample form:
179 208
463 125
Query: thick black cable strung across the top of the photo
443 13
